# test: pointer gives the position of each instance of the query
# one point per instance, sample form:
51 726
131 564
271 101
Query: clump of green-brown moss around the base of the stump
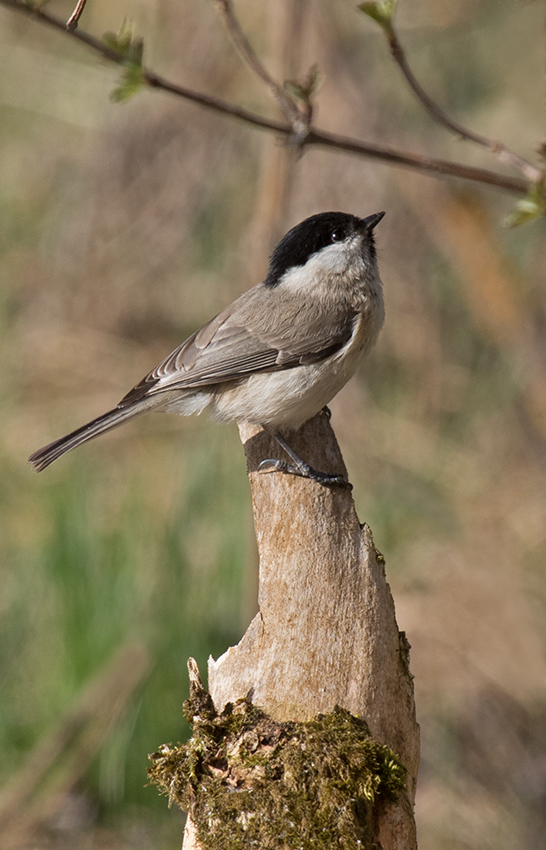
249 781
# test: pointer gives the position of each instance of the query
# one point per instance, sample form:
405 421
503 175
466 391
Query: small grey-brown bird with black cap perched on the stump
280 352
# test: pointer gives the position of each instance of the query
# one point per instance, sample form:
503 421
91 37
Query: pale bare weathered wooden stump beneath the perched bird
326 632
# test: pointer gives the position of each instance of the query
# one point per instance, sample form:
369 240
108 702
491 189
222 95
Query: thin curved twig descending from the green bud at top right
503 154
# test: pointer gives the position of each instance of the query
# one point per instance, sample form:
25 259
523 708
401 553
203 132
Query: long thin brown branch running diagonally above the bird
317 137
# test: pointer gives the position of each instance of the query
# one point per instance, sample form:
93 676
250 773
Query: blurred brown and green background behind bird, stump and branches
123 228
